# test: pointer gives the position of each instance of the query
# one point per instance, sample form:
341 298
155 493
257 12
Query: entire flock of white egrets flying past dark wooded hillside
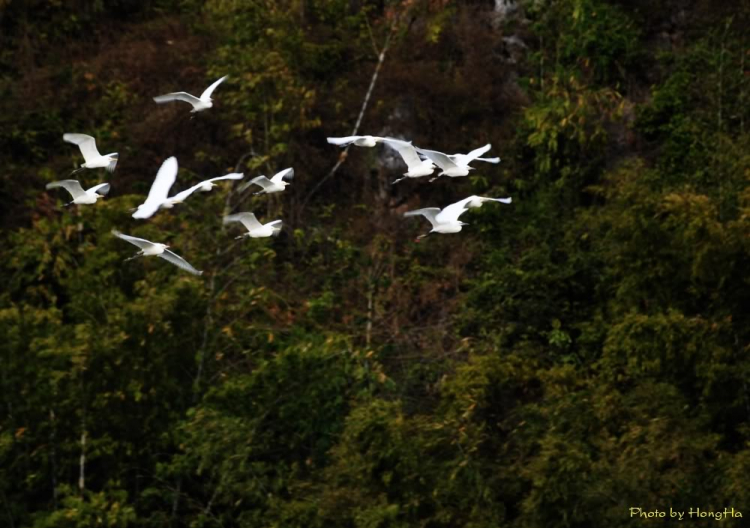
420 163
